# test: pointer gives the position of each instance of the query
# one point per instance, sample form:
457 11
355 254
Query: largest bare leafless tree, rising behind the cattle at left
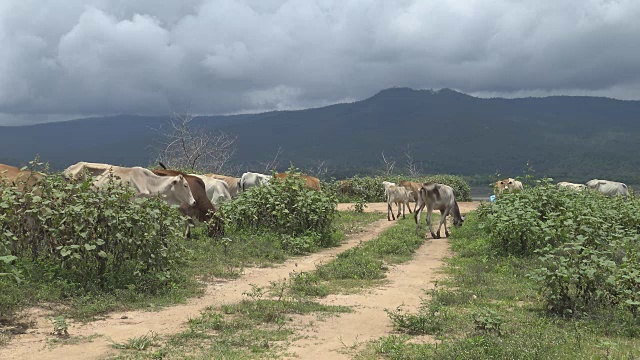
182 145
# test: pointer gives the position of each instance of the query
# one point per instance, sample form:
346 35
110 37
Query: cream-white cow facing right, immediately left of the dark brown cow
173 189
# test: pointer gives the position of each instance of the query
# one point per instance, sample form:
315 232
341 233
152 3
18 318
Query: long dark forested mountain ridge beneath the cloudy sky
566 137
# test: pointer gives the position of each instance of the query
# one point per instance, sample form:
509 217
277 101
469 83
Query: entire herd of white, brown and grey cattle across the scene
198 196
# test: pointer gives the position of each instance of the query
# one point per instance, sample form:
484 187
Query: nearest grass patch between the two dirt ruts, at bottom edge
256 328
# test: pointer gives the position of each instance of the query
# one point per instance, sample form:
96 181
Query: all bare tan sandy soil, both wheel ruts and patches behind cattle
324 339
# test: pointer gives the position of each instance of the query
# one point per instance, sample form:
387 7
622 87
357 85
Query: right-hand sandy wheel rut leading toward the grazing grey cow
337 337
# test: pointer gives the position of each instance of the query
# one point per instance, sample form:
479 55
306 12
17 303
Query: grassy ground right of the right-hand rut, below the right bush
488 308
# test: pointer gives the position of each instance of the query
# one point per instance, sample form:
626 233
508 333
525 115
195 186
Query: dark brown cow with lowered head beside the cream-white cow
203 210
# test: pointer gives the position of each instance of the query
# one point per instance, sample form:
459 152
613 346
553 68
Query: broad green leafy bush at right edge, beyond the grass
588 244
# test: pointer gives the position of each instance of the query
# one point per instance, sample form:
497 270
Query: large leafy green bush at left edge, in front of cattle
89 239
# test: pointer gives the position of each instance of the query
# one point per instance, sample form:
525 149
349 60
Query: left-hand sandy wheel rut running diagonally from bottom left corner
121 326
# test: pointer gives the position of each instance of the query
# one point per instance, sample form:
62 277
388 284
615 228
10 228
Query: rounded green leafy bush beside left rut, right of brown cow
285 207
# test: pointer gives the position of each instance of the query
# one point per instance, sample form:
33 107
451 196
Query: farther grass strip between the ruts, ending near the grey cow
363 266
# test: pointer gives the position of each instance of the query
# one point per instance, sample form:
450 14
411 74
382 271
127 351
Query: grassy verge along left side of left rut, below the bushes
206 259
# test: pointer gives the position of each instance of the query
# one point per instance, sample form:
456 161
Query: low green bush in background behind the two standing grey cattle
369 189
